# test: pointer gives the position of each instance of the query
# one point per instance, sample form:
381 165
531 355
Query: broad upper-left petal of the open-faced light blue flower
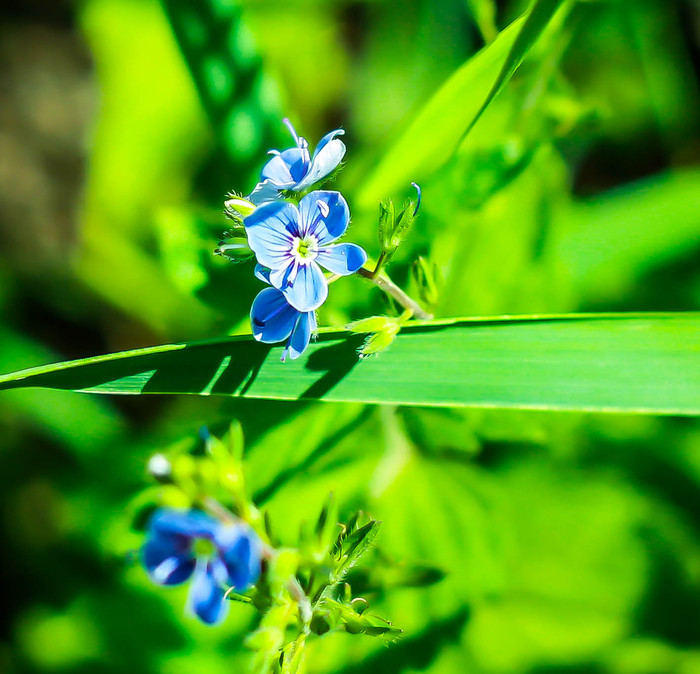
270 229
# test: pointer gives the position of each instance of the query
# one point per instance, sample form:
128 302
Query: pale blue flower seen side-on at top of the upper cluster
294 169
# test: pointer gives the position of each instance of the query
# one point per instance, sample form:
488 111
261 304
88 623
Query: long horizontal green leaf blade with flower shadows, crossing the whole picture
648 363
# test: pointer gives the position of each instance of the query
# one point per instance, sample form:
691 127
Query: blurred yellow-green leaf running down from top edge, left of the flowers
138 162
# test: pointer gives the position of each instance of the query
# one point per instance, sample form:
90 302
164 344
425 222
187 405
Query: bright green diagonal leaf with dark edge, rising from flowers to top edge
449 115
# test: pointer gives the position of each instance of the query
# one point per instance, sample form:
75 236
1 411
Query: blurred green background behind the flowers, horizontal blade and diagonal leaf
570 542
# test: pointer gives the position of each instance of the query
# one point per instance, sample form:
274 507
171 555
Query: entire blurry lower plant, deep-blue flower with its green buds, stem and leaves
205 529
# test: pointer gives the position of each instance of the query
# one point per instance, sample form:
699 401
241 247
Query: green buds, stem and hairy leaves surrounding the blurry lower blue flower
301 589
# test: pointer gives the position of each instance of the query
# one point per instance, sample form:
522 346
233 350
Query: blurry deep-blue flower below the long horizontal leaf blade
191 544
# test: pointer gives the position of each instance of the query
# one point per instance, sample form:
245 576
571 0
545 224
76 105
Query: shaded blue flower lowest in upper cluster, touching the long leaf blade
273 319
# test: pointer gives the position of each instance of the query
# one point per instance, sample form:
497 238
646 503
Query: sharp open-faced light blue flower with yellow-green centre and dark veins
294 243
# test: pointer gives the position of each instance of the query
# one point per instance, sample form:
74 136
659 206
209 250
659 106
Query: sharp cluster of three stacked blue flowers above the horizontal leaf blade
292 229
